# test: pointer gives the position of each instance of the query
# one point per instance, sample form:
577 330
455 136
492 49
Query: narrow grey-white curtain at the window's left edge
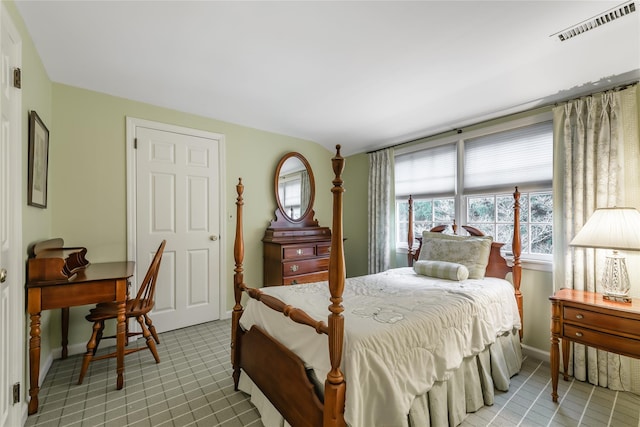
380 203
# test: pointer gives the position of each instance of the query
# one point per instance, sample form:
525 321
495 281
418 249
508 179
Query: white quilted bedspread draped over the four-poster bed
403 332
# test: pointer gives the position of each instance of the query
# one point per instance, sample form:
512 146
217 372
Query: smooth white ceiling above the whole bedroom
357 73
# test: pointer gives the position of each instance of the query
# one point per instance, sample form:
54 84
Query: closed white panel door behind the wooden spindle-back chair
177 199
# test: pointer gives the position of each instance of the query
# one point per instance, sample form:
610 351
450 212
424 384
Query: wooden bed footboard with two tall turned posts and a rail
276 370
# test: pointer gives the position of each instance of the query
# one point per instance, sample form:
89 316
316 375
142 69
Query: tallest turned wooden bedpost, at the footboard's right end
335 387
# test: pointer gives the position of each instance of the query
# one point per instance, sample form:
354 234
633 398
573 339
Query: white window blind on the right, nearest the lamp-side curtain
522 157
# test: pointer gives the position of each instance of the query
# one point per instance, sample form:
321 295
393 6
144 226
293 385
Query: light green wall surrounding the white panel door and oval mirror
87 169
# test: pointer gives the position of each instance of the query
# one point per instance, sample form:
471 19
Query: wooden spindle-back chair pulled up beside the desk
137 308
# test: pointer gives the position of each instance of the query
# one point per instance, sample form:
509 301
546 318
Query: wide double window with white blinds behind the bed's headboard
471 180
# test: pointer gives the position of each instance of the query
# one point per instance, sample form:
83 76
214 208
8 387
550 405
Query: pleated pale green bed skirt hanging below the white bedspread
469 388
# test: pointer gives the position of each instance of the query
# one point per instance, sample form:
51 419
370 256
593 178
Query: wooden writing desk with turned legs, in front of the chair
102 282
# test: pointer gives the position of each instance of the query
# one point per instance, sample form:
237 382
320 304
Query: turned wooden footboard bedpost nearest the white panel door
238 282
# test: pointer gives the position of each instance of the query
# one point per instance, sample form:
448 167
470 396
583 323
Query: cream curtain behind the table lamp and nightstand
596 165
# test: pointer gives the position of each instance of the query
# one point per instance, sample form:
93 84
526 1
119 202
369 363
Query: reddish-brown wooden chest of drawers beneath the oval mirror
295 256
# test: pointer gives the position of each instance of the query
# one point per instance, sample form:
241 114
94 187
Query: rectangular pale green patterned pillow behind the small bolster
470 251
